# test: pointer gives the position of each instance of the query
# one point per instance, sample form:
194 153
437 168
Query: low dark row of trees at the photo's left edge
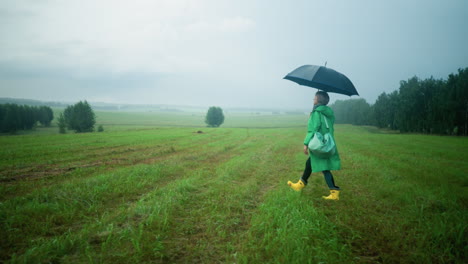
15 117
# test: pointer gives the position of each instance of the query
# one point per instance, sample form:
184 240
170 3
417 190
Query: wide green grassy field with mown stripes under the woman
148 190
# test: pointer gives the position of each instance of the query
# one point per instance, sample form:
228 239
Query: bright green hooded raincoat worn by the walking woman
316 124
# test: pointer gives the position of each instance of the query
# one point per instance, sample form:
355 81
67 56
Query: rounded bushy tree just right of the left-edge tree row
80 117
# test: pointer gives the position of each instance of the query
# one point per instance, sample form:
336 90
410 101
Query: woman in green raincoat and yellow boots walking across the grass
315 163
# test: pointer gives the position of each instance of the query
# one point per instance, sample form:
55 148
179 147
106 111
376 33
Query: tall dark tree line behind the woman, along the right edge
427 106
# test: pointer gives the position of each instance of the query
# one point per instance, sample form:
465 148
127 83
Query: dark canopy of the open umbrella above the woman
322 78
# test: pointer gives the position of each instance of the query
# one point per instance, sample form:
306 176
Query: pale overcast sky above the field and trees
218 52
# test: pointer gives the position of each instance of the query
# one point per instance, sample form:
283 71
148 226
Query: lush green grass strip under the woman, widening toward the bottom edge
287 227
